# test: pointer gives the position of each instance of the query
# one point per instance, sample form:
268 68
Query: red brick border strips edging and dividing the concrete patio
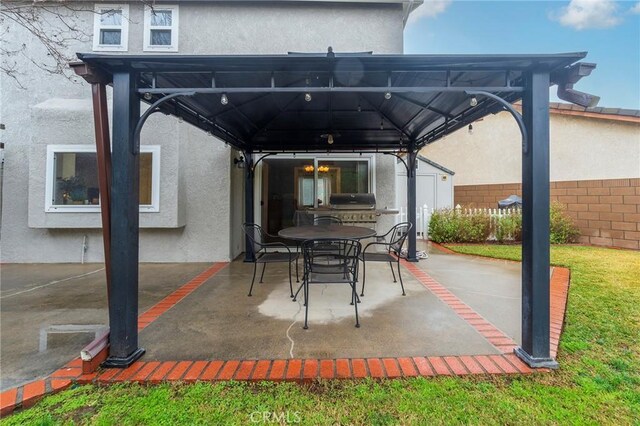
302 370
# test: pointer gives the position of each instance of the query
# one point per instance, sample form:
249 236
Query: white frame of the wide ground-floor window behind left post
49 207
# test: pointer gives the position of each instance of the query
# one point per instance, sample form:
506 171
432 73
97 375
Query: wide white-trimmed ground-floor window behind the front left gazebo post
72 179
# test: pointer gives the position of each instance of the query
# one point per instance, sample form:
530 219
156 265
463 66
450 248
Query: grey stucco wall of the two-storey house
196 169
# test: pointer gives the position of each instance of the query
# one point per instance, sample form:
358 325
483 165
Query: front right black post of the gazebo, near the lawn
535 223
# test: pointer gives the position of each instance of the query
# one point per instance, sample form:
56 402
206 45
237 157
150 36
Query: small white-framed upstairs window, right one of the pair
161 28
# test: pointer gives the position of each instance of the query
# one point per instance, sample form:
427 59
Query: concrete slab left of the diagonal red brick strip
34 297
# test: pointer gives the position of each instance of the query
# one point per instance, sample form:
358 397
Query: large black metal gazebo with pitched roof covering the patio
268 104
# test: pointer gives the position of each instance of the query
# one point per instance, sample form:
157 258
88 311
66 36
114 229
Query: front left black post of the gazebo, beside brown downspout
125 211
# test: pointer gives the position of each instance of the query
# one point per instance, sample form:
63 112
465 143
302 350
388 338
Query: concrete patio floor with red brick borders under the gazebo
460 316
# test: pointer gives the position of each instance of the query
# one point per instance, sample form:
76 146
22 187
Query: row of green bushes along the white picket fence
477 226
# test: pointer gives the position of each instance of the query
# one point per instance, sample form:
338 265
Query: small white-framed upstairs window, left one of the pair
111 27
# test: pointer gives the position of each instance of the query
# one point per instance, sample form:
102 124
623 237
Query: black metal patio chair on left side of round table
259 248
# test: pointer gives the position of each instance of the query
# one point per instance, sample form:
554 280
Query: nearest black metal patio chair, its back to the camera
336 267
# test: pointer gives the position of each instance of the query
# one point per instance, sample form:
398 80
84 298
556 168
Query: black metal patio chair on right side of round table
393 249
